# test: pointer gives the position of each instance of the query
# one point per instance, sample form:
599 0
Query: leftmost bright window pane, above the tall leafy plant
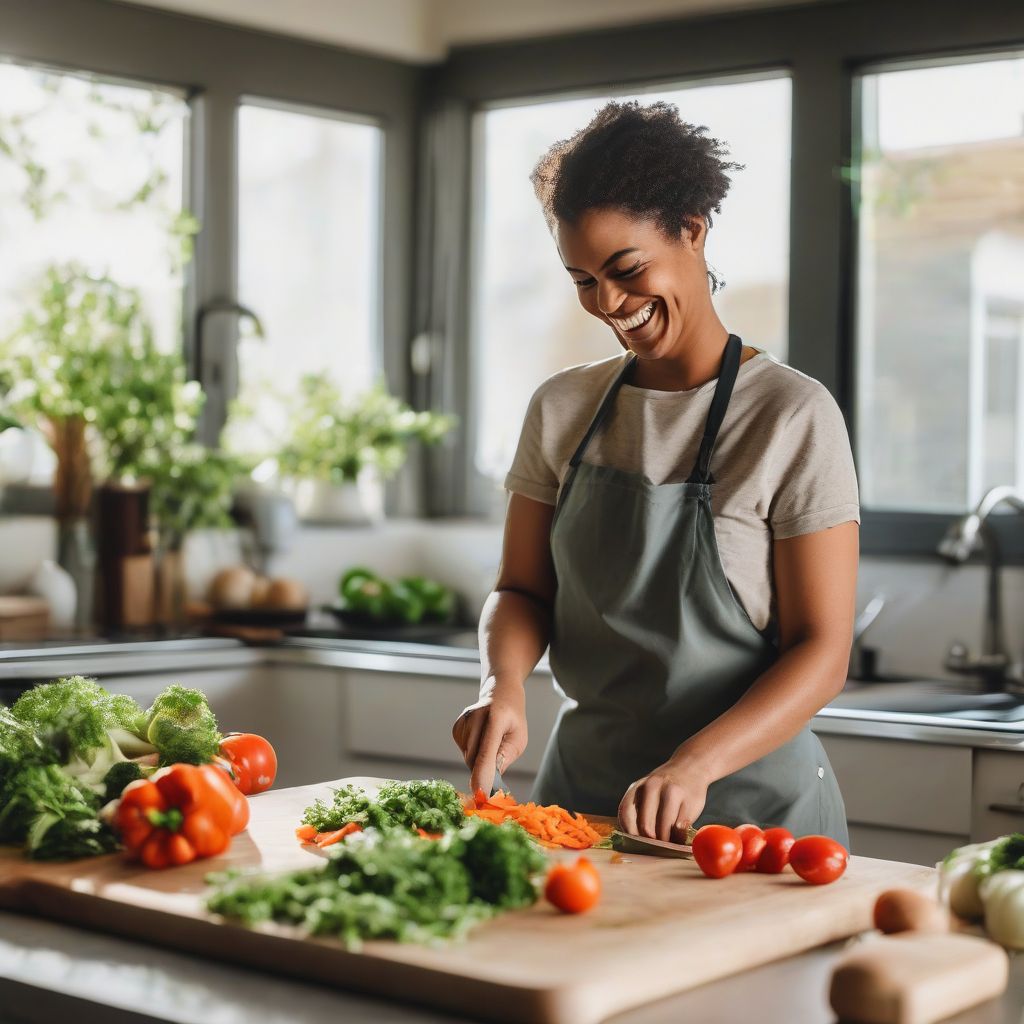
92 173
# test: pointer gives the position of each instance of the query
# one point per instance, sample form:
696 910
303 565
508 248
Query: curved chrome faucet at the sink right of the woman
994 666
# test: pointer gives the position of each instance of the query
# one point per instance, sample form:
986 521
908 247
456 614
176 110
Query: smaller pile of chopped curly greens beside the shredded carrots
430 804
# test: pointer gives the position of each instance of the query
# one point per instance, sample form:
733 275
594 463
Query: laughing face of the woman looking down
634 279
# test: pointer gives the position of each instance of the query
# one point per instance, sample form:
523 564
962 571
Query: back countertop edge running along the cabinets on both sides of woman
22 666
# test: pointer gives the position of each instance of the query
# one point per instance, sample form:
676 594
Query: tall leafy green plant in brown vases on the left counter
86 371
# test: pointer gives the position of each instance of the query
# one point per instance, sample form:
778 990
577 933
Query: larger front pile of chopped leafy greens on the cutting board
391 885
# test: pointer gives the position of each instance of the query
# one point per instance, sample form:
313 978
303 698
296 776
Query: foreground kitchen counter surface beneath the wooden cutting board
55 972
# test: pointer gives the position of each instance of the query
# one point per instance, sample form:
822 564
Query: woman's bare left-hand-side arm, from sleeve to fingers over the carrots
516 627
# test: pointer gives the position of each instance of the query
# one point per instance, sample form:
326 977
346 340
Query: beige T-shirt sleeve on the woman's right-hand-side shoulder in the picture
814 471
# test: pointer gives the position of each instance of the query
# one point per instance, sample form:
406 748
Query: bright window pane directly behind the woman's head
528 322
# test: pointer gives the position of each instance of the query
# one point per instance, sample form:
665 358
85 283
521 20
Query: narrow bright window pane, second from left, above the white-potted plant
309 251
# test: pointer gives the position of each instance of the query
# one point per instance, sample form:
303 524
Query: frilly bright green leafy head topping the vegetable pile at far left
74 715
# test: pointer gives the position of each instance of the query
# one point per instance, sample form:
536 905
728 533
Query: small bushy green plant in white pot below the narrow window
338 452
